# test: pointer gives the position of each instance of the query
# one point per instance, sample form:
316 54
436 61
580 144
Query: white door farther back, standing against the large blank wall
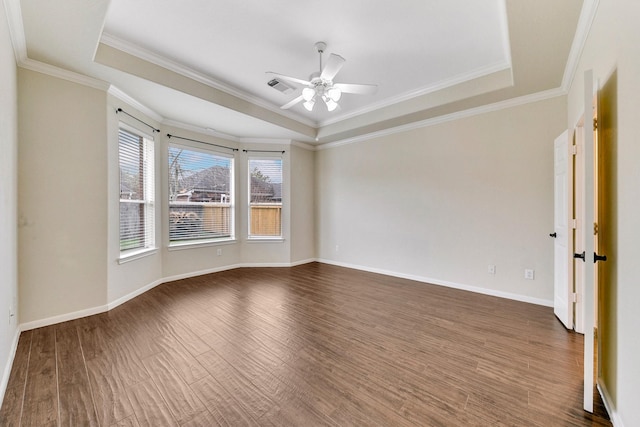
563 293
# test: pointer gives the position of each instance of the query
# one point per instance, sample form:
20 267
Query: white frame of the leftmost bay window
148 200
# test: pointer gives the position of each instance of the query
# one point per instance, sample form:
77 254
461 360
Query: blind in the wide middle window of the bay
200 195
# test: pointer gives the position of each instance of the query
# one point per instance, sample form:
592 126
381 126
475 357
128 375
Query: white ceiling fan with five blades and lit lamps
321 86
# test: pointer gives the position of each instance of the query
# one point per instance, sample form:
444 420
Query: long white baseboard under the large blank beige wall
476 289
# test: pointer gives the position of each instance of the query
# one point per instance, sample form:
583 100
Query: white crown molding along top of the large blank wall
509 103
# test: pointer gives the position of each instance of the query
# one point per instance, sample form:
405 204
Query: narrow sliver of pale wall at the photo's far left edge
8 200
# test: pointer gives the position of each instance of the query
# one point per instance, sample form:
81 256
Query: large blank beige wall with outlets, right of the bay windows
443 202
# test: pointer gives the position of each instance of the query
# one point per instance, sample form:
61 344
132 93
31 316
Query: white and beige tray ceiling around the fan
203 63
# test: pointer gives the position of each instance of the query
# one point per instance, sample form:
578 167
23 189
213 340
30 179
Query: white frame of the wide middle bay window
187 243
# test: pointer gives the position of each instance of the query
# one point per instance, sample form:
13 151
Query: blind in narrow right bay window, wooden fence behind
265 197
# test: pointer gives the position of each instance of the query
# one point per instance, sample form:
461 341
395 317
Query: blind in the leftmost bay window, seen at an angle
137 218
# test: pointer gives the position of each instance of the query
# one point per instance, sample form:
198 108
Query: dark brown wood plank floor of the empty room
304 346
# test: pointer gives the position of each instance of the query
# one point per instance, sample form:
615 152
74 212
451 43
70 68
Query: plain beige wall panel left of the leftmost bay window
62 182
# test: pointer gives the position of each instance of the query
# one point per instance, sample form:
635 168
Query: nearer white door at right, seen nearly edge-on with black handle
588 233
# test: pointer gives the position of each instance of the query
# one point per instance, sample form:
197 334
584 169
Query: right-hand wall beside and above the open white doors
613 53
